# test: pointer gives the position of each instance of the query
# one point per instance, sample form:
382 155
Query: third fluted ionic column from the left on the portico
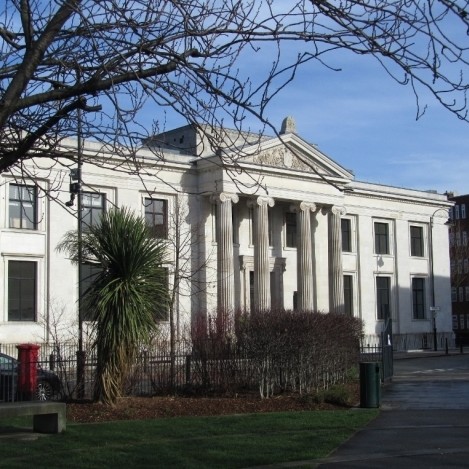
305 256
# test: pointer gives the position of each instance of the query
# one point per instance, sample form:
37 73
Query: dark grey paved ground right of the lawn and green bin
424 421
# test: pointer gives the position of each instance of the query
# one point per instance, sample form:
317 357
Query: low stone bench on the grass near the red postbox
48 417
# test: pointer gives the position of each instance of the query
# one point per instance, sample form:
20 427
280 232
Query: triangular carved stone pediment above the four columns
293 153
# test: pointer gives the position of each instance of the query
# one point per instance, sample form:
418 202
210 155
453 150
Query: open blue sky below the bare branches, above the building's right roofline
365 121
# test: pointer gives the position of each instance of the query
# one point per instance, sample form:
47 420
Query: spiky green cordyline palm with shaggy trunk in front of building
125 296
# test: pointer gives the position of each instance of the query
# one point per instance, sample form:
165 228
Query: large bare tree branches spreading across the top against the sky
99 65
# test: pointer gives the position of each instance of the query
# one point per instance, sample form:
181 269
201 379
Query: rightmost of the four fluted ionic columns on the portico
336 280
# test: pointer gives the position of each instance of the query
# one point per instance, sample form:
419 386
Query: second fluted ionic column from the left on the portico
261 252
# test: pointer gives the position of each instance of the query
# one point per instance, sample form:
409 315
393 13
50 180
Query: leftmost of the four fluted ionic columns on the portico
225 266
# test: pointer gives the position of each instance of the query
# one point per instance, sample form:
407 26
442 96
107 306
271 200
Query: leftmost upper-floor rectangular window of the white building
23 207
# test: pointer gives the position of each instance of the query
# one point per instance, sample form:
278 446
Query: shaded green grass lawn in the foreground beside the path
234 441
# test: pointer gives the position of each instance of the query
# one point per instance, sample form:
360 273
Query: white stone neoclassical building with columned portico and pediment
270 222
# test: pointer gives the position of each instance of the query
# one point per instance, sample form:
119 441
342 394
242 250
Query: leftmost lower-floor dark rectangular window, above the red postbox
22 279
